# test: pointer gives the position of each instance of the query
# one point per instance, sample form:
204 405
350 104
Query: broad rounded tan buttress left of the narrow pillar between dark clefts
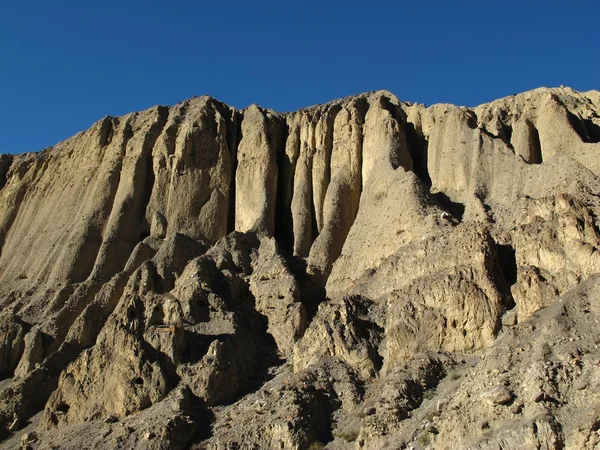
191 163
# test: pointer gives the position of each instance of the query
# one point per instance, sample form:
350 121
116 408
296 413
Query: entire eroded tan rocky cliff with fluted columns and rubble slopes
367 273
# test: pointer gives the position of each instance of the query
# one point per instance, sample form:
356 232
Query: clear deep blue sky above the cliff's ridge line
66 64
